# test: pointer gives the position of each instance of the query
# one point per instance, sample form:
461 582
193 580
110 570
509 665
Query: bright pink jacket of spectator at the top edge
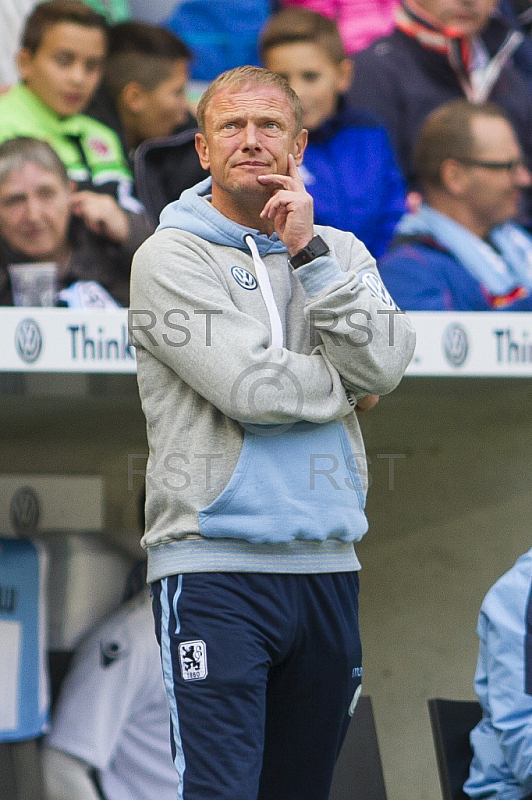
359 21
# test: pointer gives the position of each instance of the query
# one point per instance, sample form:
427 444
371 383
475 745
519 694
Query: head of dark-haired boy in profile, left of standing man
143 94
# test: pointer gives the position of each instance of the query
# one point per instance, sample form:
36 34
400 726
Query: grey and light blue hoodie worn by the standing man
248 374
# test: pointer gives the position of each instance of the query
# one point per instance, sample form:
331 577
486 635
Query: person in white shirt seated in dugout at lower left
110 728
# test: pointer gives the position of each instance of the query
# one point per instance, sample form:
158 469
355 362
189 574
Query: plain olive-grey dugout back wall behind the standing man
454 518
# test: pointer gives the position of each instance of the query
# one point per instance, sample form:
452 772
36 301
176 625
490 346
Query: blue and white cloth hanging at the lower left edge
24 698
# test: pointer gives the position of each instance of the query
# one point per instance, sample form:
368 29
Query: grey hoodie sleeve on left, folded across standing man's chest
183 314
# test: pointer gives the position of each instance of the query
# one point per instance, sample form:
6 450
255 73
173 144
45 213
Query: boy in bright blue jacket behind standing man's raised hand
349 167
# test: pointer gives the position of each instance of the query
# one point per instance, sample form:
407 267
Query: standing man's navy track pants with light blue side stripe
262 672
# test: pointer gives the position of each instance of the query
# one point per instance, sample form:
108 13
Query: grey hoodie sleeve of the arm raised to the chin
367 338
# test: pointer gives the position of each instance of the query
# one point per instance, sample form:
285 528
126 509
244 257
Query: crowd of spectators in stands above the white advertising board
109 93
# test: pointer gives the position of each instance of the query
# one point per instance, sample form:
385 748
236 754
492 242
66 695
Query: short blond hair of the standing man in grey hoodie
240 77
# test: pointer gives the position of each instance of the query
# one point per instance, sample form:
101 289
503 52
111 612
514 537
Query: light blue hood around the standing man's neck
194 212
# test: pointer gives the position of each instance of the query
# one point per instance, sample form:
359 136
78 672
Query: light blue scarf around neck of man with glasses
499 274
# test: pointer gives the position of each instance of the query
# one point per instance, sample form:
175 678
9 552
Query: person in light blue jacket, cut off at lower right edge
502 740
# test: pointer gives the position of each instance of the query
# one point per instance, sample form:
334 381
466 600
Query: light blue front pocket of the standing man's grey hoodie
302 484
